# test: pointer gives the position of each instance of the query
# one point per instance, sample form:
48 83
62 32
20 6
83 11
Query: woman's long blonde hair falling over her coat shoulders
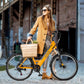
49 15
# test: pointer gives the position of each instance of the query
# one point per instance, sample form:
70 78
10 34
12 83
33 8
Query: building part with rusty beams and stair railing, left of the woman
17 18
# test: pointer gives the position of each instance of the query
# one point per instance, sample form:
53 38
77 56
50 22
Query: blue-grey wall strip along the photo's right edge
80 51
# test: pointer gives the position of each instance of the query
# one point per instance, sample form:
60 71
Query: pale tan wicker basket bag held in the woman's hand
29 50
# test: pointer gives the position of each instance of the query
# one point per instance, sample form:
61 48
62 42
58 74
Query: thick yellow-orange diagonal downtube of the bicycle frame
52 46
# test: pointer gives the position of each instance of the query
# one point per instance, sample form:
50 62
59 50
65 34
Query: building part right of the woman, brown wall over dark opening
66 14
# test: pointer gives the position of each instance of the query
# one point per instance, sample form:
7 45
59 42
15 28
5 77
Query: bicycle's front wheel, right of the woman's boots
64 67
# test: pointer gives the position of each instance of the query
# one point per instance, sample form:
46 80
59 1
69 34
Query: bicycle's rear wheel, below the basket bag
13 70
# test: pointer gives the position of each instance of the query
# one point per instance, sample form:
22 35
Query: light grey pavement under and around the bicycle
35 79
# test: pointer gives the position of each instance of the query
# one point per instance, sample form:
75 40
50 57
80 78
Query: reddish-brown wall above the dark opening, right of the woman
67 13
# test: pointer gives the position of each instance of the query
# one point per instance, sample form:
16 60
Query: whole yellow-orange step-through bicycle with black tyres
63 66
